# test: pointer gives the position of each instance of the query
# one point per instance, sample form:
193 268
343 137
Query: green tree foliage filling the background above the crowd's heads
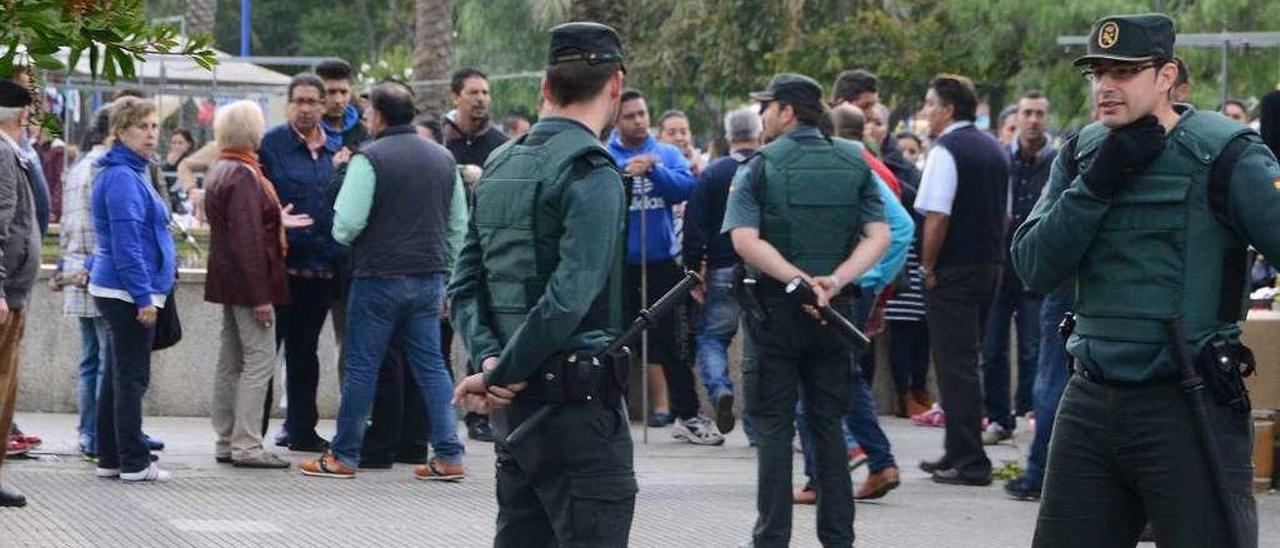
706 56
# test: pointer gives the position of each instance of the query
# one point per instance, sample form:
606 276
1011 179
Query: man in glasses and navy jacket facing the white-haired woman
299 159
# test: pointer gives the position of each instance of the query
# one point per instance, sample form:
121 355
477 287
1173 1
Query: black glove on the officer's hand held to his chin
1123 154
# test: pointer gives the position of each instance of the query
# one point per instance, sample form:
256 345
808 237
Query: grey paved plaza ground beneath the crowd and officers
689 497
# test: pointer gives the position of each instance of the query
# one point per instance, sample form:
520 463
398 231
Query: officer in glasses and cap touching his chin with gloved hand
1150 209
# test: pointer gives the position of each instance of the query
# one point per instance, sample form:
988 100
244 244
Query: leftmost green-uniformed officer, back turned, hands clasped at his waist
533 285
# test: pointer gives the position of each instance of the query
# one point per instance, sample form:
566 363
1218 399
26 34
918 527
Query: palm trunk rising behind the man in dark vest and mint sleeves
433 52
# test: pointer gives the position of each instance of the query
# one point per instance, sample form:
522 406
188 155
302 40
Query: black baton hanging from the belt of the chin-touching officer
1194 386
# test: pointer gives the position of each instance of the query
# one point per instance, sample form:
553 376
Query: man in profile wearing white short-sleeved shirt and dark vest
964 200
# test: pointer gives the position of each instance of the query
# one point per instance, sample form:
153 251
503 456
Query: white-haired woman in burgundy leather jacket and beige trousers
246 276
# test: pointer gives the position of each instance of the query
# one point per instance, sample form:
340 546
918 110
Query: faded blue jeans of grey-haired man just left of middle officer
721 313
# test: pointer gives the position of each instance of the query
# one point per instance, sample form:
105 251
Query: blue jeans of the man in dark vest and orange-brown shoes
408 308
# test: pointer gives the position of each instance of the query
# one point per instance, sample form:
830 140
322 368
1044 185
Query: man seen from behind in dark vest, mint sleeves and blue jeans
394 211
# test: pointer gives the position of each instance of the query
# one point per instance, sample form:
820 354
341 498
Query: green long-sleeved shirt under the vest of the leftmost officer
595 212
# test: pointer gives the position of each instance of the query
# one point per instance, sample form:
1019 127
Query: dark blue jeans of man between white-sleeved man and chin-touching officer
1026 310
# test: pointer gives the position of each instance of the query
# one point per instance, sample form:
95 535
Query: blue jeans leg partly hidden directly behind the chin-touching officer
1050 380
